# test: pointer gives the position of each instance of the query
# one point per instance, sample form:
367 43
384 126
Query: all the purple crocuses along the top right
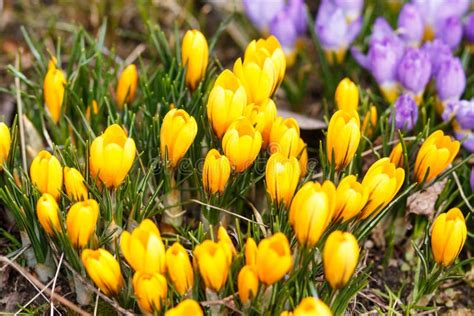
403 61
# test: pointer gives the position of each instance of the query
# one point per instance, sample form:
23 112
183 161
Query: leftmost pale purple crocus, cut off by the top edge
261 13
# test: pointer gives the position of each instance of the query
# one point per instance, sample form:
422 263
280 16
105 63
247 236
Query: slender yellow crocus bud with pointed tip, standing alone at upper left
53 89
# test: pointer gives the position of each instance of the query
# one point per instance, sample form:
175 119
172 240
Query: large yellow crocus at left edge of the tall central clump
226 102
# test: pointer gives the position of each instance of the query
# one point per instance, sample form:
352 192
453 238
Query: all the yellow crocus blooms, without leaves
243 116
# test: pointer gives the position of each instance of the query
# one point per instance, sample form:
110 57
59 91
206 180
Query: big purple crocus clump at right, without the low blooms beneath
399 62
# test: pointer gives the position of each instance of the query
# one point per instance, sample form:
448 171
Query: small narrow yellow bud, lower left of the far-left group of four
47 210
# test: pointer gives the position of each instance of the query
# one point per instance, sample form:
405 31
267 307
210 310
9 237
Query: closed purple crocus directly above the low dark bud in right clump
414 70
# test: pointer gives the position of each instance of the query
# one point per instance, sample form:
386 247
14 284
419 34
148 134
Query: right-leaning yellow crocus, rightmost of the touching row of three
383 180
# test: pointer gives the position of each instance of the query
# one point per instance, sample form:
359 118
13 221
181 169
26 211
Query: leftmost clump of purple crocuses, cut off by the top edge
285 19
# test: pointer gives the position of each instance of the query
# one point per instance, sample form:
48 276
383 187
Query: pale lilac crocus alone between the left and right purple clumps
332 28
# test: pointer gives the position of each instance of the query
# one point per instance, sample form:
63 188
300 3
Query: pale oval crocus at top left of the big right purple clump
410 25
